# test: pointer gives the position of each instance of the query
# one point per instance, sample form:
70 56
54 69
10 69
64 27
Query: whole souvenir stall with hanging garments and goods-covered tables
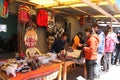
29 62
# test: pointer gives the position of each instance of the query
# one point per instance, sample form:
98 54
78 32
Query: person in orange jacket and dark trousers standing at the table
90 51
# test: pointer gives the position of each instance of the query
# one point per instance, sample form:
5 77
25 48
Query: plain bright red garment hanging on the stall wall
42 18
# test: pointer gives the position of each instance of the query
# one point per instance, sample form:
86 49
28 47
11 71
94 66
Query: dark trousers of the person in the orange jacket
90 64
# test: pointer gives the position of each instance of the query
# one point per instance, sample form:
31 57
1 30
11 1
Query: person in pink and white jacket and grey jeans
109 48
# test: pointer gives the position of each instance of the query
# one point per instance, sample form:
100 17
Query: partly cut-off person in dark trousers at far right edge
117 56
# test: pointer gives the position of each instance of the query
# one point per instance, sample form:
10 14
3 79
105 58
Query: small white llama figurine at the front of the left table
11 69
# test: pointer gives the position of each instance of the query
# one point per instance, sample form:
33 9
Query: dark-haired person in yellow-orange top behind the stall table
77 41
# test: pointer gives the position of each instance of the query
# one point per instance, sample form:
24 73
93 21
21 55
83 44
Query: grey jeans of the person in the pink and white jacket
107 61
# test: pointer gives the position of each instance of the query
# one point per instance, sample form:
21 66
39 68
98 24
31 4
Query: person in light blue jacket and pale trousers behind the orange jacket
100 49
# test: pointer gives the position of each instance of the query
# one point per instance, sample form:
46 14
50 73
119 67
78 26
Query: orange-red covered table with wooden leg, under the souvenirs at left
43 71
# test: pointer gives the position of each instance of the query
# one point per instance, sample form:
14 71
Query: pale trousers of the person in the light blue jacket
98 66
